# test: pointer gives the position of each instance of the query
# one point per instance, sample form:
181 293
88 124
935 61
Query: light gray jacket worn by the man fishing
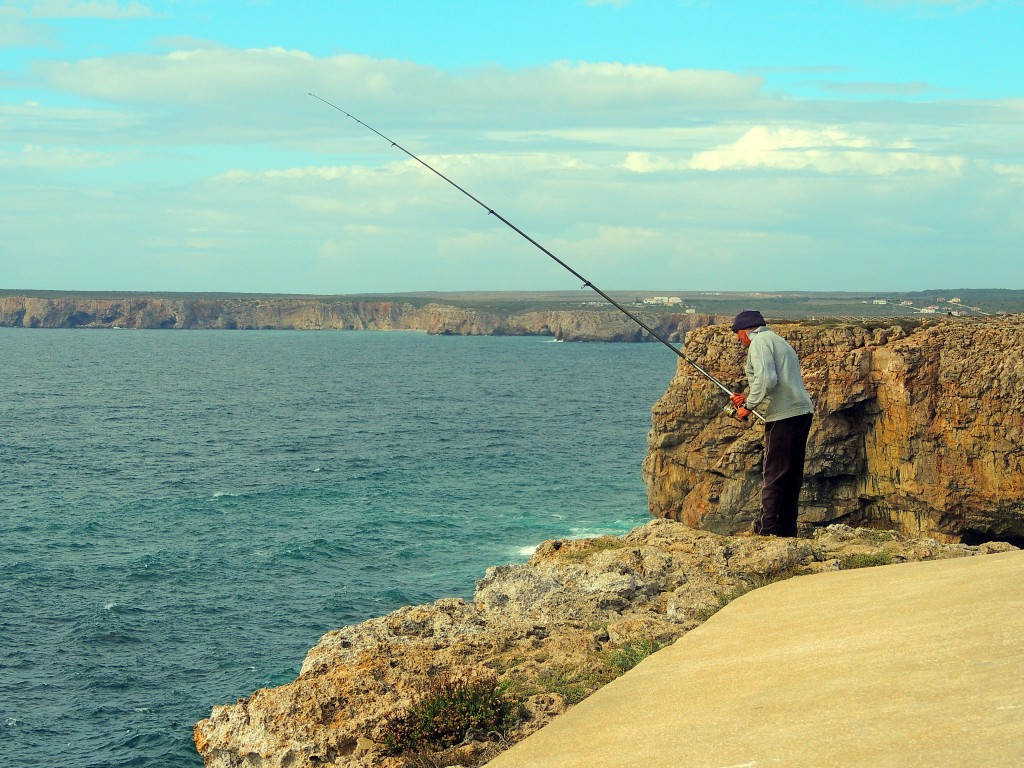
774 372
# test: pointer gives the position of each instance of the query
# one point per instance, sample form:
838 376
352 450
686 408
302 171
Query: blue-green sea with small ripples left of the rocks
185 514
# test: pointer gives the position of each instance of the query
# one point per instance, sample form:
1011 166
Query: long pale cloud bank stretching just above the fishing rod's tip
207 74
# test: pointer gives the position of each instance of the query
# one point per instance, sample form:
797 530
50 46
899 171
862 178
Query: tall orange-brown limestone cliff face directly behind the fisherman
921 432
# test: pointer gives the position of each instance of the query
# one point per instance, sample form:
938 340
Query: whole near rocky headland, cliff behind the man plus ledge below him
917 456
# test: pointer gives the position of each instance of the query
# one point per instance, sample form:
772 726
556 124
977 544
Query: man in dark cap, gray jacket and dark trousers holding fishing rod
777 392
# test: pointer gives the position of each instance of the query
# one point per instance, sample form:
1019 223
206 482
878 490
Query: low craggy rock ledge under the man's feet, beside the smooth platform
536 639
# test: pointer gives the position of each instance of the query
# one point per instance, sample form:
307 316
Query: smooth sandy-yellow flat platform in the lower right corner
905 666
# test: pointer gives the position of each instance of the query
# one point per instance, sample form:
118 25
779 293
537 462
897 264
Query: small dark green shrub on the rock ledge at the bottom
448 711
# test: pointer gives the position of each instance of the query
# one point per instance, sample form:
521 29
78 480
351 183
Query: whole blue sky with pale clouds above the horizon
652 145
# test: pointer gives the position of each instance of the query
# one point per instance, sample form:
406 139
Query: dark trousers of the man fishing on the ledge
786 445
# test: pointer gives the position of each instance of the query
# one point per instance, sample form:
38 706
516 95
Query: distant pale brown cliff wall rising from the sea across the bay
328 314
